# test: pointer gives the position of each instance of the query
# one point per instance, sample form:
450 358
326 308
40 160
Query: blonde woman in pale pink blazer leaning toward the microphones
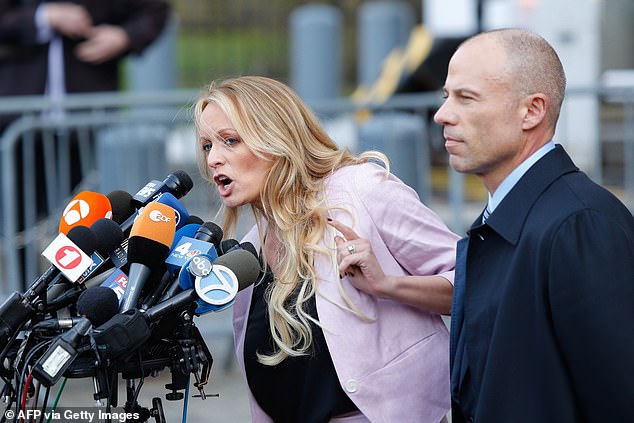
344 324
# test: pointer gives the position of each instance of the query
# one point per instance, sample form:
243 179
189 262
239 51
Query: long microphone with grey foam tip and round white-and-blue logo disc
125 332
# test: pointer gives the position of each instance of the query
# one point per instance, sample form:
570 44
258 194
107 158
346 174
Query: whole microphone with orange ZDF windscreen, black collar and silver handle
148 245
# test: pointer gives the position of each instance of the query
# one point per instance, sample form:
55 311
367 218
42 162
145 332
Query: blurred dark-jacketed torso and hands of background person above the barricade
72 47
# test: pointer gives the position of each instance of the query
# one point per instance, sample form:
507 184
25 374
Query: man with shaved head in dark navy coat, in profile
542 324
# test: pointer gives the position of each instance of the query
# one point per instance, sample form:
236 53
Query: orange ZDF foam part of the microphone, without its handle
156 222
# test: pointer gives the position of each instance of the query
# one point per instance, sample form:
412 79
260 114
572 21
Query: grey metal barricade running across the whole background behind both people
25 228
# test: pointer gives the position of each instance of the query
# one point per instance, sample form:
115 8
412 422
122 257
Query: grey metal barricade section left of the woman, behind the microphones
43 152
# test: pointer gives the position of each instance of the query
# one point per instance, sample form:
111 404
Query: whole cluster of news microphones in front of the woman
128 274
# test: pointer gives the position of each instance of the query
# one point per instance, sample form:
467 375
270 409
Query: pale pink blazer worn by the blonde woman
395 368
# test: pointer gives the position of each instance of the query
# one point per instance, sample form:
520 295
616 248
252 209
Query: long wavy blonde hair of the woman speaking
276 125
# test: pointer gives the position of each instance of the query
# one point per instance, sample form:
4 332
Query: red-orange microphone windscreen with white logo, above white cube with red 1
84 209
